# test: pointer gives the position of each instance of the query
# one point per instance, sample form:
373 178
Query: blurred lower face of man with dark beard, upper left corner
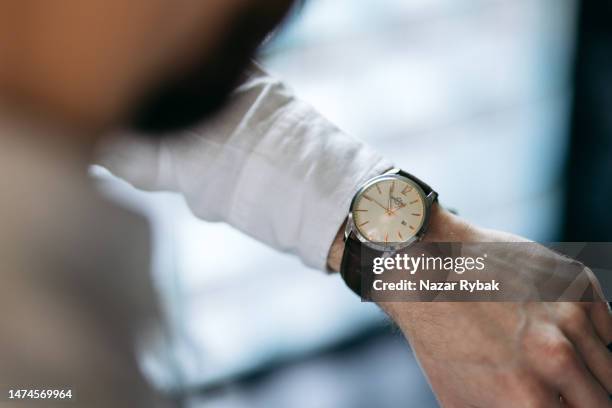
153 64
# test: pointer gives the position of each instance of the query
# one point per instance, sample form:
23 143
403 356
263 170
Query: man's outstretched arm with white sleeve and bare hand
275 169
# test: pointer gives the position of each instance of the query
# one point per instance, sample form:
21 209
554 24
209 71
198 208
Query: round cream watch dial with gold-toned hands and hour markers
389 210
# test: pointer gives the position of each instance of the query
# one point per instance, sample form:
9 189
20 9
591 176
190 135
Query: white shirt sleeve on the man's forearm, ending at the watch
269 165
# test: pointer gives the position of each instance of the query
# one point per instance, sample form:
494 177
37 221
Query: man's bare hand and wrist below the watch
498 354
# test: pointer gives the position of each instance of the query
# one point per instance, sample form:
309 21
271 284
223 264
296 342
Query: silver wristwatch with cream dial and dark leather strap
389 212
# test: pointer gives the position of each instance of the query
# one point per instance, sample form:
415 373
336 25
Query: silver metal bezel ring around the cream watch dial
428 199
